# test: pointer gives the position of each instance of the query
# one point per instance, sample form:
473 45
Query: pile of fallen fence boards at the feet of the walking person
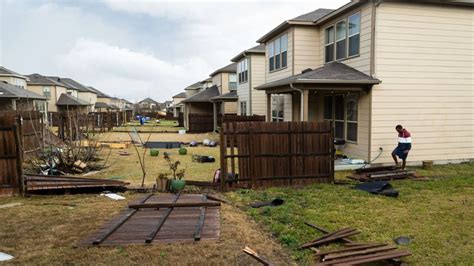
382 173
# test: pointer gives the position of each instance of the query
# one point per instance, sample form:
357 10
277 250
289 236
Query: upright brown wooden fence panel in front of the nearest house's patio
265 154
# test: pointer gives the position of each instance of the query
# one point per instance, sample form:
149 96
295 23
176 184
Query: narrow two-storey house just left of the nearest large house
250 74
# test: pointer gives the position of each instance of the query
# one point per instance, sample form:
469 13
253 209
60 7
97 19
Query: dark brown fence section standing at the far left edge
10 161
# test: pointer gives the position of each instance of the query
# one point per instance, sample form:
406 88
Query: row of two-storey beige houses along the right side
366 67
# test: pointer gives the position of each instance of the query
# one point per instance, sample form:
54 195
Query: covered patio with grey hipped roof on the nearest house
334 92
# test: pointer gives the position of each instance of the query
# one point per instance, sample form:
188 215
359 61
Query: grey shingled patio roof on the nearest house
331 73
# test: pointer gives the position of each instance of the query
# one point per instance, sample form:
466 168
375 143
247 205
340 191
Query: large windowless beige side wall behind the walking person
424 57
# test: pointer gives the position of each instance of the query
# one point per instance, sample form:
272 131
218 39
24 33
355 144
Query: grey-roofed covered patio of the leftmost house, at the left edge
13 97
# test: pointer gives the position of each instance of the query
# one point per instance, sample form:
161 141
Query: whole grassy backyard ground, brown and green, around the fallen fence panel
437 215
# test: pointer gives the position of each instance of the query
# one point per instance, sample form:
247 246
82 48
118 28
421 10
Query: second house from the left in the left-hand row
47 87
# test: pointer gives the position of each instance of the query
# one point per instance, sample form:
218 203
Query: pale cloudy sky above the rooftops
136 49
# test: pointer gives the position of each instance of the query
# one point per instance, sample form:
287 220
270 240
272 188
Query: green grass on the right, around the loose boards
438 215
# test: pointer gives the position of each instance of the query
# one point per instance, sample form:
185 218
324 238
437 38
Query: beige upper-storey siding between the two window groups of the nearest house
306 48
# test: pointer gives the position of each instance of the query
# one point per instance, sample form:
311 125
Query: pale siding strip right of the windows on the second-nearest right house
257 77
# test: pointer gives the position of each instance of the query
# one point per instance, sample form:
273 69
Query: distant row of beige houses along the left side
53 94
